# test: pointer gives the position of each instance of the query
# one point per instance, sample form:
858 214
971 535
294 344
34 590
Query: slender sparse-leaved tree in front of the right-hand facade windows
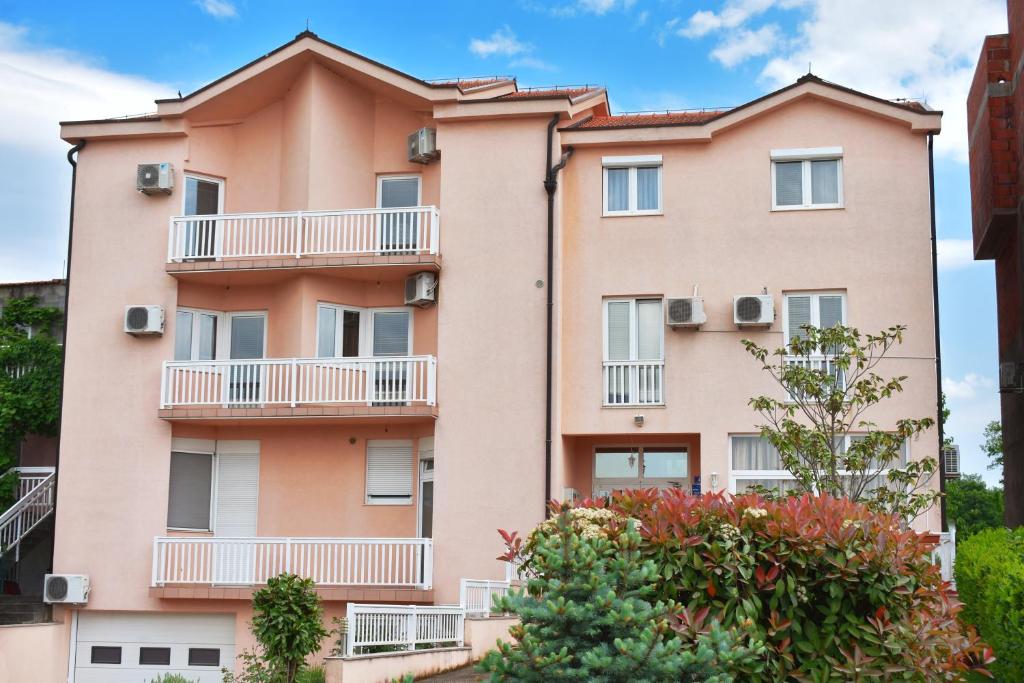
830 382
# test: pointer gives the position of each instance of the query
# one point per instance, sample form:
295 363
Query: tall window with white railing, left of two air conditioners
634 348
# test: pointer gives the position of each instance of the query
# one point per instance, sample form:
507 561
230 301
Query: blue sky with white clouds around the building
76 60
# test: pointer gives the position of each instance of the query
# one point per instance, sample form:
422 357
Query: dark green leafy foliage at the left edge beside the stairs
30 382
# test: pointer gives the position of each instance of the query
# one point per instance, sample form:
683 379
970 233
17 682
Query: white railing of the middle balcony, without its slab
370 381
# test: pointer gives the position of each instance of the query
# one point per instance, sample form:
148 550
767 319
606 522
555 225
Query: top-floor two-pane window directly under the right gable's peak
807 179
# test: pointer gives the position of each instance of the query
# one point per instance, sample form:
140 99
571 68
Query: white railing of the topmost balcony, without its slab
300 234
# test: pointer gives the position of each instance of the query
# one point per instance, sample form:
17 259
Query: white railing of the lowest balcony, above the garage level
250 562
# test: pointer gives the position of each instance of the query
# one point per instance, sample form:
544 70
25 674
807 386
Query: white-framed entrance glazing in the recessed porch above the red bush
641 467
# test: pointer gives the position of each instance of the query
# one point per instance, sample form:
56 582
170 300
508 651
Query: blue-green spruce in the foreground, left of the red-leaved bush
588 615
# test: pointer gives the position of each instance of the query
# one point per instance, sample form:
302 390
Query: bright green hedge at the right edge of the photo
990 575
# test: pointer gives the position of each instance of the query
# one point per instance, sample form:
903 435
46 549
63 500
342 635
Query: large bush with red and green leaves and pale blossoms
834 590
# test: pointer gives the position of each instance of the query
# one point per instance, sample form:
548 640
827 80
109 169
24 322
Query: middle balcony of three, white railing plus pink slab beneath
349 388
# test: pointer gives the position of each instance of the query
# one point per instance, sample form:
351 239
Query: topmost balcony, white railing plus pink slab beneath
370 238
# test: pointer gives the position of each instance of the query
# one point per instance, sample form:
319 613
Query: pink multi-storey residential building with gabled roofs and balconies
351 380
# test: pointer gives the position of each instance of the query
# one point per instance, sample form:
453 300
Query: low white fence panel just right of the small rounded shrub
402 627
